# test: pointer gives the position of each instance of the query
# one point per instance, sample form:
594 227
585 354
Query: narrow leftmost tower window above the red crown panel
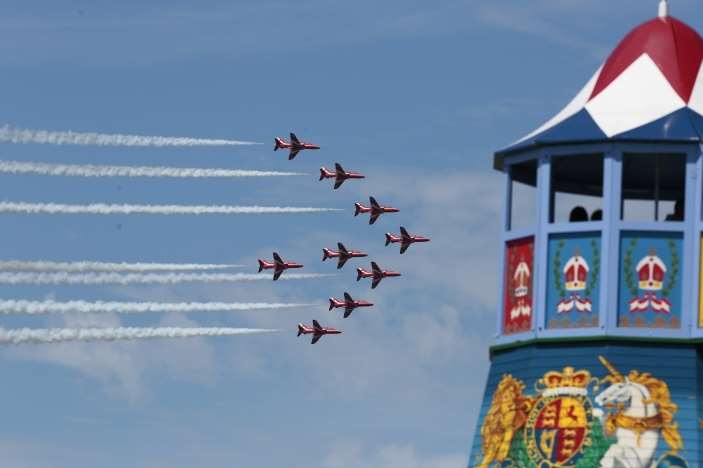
523 190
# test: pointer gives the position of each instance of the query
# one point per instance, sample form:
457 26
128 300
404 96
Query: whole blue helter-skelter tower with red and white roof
597 362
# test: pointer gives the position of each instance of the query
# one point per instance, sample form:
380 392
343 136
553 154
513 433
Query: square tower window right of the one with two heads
653 187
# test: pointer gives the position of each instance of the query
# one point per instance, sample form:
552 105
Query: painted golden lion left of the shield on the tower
508 413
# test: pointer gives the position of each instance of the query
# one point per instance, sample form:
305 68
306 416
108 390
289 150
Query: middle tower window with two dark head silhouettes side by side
576 189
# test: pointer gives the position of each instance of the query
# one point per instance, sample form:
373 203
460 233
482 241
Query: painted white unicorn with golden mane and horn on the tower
644 411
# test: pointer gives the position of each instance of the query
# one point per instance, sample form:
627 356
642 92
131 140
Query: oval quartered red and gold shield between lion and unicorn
557 429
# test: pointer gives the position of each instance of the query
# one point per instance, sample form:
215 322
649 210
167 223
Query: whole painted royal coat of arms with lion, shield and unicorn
577 420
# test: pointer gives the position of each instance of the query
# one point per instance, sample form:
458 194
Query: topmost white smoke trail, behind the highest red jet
23 135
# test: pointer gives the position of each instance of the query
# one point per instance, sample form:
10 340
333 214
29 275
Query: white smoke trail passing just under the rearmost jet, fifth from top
143 278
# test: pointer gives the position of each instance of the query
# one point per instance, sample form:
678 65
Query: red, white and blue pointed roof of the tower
649 89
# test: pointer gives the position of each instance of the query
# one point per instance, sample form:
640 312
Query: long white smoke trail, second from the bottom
10 307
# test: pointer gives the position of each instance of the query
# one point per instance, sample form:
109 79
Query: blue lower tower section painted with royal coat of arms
586 405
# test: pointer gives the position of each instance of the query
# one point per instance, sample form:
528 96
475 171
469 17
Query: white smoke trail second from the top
87 170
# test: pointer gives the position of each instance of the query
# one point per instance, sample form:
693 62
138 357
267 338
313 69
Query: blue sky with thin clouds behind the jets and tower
415 94
